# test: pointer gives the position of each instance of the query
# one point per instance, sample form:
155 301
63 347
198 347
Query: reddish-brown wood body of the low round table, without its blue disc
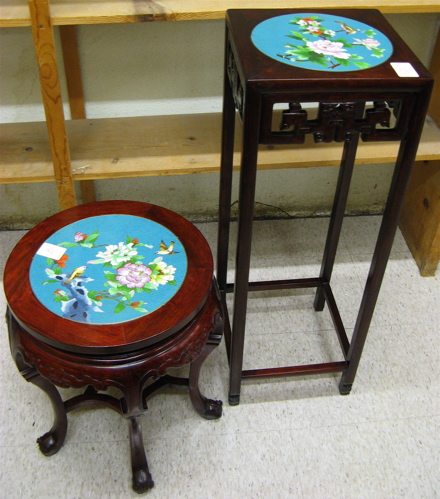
134 356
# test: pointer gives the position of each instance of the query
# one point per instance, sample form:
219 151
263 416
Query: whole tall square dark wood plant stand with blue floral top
369 86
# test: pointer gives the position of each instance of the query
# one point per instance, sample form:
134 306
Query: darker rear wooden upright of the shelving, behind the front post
72 69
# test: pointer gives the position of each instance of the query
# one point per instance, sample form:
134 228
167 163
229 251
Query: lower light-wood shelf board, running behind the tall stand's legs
166 145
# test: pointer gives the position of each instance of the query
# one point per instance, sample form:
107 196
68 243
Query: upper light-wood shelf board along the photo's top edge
15 12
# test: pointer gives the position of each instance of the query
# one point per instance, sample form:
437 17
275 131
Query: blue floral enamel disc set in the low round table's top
108 269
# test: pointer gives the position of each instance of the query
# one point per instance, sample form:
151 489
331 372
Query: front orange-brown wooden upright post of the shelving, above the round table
53 106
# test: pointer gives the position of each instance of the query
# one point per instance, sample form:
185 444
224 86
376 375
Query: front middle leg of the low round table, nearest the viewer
142 480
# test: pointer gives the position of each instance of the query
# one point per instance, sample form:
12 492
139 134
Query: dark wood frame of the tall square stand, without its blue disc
251 81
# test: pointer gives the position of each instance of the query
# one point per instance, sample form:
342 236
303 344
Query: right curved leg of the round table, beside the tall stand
207 408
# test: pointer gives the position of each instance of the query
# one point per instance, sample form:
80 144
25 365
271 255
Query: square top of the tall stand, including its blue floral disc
273 47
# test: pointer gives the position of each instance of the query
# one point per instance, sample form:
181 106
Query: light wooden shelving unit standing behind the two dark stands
84 149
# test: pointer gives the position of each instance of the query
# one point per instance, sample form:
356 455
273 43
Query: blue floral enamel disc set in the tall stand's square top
322 42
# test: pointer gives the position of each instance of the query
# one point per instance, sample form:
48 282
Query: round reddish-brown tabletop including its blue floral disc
101 247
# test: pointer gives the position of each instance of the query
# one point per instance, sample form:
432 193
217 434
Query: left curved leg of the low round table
51 442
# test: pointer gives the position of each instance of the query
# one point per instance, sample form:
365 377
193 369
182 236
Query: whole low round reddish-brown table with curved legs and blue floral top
112 293
